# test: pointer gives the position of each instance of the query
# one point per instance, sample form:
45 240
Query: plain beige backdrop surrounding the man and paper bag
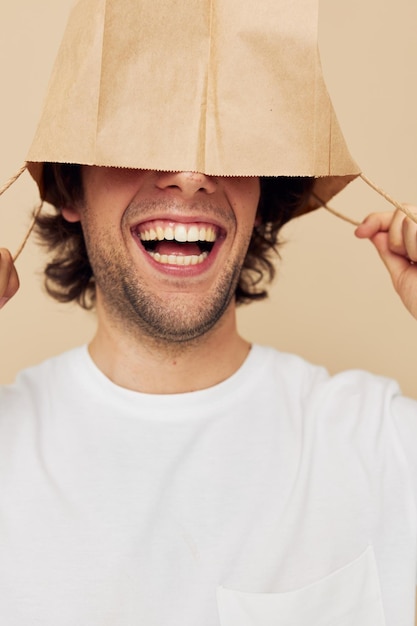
332 302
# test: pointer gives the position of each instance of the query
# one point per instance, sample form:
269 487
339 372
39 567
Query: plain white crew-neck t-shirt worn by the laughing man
281 496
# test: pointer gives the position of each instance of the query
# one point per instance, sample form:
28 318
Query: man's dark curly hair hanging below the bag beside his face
68 274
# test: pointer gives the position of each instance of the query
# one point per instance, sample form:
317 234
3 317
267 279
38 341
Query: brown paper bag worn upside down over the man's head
223 87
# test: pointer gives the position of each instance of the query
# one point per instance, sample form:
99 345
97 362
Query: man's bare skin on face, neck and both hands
130 349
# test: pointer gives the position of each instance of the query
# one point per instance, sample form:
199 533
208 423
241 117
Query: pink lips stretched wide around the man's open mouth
181 270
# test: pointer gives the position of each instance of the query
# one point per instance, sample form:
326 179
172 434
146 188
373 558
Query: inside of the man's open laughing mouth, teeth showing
176 243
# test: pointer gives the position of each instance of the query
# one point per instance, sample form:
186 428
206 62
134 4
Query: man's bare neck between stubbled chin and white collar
141 364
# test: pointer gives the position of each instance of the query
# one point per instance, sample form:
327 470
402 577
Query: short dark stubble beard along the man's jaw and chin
141 312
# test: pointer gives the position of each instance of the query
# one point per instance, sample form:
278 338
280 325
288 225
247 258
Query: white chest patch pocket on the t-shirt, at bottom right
348 597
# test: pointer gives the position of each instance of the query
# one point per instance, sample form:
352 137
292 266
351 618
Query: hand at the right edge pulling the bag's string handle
395 237
